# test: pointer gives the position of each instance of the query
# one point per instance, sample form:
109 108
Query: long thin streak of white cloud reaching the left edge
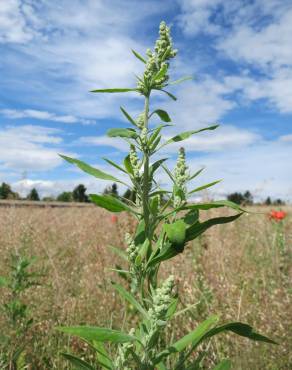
43 115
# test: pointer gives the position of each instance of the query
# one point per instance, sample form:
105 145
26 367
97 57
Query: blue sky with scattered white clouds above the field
239 52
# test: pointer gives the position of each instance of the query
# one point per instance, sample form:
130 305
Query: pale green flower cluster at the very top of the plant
157 62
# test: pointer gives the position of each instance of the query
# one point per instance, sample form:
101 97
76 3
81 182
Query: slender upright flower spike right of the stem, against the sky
181 176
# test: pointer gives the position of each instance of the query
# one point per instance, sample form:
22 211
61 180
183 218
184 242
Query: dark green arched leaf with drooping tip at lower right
239 328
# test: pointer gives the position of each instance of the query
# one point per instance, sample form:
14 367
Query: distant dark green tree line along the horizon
78 194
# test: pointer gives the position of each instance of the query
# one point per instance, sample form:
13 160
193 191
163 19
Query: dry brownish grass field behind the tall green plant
241 271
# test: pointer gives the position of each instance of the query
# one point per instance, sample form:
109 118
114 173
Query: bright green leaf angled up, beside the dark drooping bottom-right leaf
193 338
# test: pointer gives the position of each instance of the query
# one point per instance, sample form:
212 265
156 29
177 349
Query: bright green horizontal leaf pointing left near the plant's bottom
93 333
